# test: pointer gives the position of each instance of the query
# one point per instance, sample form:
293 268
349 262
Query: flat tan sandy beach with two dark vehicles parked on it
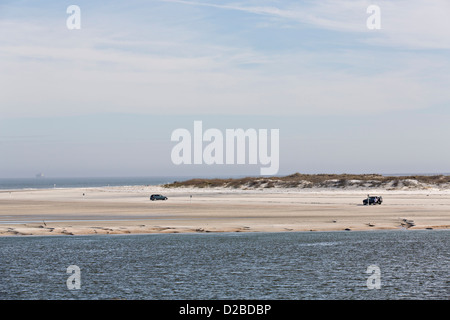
128 210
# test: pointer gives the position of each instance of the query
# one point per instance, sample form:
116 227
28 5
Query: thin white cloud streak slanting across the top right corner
409 23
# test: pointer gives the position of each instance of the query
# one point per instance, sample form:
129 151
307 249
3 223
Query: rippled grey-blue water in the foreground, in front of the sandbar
288 266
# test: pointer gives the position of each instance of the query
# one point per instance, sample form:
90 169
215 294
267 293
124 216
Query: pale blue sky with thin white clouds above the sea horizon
104 99
